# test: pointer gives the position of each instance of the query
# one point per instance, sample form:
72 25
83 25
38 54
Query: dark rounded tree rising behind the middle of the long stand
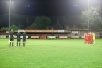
42 22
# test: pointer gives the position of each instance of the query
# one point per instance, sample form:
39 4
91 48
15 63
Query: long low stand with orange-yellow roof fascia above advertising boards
48 34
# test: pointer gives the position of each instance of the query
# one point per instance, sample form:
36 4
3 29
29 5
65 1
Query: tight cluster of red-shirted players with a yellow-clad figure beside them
89 38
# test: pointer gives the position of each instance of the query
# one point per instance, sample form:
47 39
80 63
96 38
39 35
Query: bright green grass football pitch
70 53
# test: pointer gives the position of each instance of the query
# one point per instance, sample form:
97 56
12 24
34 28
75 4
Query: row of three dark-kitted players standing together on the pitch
11 38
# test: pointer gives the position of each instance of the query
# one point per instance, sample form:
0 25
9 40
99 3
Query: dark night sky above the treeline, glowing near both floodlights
45 7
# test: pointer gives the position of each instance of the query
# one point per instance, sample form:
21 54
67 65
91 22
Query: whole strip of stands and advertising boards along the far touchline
52 34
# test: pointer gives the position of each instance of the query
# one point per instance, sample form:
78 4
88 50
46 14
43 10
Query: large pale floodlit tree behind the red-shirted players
95 21
